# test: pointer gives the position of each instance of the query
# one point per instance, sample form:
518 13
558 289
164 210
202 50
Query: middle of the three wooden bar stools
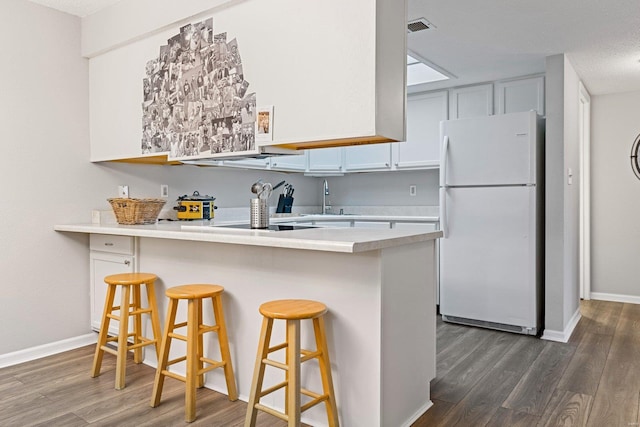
195 359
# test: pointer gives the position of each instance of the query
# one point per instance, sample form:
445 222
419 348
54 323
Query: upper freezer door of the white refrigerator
495 150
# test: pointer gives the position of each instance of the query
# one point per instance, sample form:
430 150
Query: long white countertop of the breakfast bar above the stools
345 240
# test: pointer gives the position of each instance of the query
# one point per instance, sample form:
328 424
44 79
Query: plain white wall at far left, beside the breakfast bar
45 176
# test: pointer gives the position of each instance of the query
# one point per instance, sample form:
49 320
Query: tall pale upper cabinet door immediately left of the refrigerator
422 147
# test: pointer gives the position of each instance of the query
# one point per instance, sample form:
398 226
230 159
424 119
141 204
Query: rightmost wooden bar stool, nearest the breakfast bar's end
292 311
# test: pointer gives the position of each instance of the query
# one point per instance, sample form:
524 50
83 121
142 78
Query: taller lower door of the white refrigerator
488 258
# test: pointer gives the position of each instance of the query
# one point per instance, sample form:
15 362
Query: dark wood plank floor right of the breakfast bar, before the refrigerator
488 378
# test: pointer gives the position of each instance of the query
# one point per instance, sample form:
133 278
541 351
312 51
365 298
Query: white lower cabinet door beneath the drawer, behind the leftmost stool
104 264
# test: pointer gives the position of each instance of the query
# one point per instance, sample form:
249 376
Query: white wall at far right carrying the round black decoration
615 196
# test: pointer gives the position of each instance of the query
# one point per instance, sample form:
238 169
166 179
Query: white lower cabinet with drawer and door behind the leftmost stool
108 255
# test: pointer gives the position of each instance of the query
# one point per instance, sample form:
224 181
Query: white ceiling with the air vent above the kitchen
496 39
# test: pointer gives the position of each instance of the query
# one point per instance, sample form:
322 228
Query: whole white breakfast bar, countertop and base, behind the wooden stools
379 286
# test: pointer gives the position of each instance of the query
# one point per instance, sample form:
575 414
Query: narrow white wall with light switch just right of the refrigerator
561 202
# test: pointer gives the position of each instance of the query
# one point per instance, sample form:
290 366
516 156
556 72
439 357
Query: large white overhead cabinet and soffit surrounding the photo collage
330 84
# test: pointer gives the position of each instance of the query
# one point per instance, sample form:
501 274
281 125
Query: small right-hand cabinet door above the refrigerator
520 95
